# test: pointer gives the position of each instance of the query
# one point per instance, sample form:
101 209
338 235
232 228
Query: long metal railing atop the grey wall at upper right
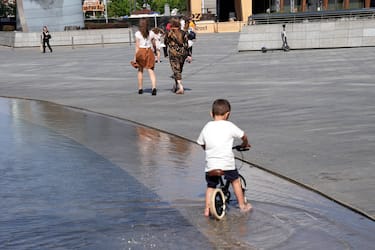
311 16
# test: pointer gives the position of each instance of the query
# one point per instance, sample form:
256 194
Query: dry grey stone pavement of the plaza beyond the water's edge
309 114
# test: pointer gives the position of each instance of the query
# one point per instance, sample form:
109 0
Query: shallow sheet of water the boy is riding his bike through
75 179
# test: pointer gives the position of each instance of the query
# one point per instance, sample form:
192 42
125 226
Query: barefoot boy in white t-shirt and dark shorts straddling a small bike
217 138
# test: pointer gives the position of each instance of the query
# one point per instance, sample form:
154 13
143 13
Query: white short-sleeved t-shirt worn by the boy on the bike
218 137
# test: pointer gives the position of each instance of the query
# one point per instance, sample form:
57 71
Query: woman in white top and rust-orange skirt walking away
144 55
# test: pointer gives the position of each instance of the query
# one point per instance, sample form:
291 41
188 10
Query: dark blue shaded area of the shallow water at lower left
56 193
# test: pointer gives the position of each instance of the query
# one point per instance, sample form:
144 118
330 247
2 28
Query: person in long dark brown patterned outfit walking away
177 42
